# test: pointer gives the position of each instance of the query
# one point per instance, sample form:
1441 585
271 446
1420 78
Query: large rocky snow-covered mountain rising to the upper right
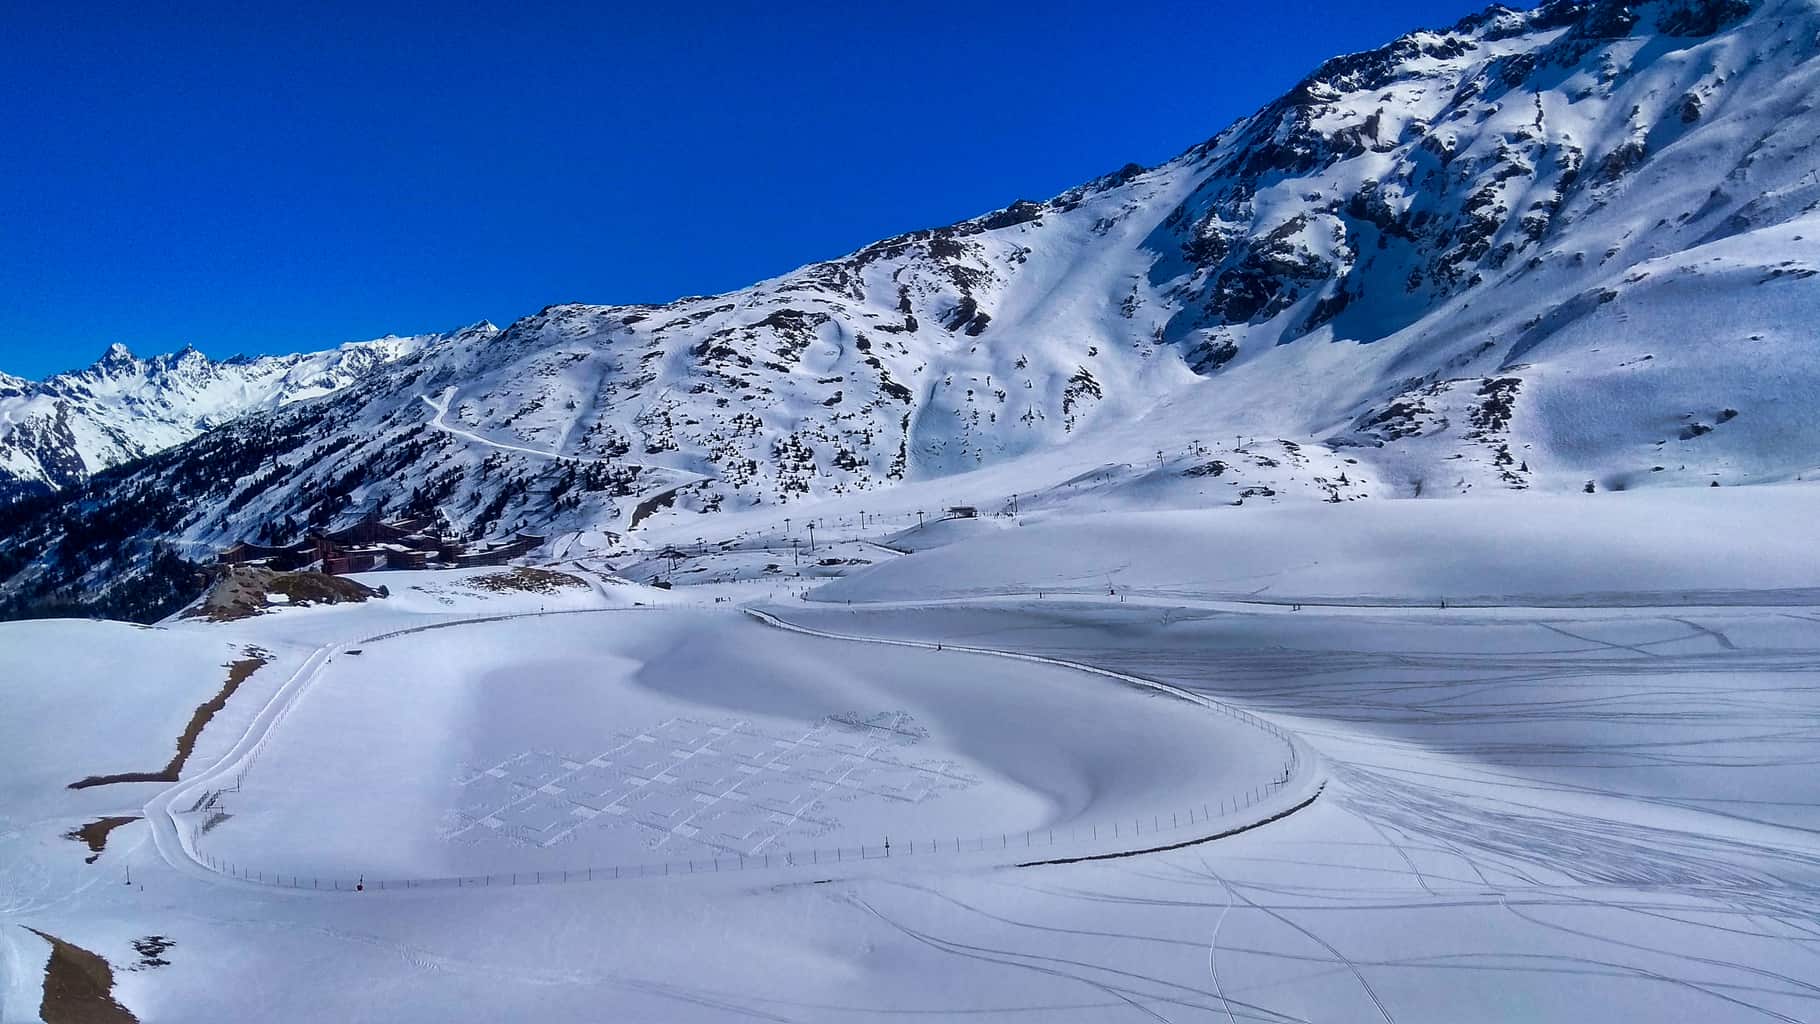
1570 248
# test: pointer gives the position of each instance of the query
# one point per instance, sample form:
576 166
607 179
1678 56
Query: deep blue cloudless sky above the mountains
259 179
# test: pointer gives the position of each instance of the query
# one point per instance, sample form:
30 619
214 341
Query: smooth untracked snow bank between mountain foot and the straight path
1703 547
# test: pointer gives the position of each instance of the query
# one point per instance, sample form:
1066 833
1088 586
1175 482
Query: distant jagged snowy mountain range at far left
61 430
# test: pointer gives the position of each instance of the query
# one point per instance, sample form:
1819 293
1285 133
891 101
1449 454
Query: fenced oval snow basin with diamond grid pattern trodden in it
645 739
